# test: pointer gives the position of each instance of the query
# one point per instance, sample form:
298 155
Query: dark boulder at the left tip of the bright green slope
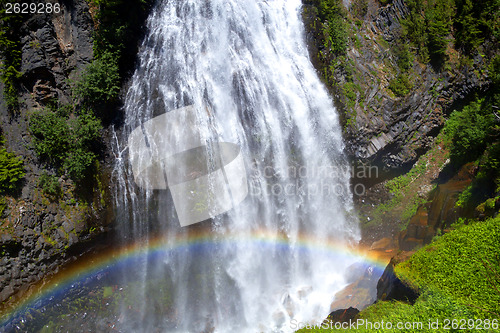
390 287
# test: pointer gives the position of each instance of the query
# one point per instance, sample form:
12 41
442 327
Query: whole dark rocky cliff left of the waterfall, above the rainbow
40 231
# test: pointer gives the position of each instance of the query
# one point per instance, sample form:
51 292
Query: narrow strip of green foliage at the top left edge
10 51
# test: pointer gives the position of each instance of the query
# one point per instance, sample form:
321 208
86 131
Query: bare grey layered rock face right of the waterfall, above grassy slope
382 129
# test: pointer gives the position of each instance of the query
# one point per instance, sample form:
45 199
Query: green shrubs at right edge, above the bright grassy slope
473 134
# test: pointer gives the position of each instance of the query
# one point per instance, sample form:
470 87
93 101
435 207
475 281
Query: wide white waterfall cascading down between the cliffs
246 62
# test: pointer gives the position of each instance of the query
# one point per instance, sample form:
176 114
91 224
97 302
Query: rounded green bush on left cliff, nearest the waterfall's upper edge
100 82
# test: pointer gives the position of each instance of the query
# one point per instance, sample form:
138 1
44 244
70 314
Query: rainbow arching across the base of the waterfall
91 267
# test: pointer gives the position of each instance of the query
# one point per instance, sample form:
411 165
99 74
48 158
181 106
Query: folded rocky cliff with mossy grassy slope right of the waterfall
394 101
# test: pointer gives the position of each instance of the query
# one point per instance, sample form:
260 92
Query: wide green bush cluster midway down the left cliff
66 143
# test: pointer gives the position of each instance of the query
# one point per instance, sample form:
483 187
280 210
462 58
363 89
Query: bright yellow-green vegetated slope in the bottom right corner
458 277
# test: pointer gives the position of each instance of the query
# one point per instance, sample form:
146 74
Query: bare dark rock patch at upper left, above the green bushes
53 47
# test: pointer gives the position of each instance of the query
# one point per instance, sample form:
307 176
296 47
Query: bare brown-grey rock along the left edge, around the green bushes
38 233
